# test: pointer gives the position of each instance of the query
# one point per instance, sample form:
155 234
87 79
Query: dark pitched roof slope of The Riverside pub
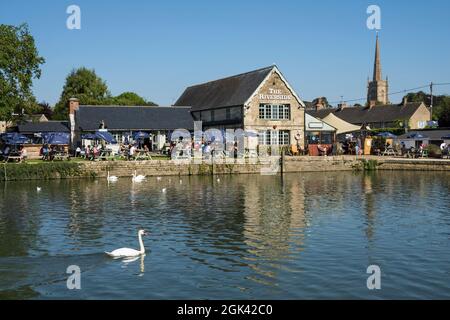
226 92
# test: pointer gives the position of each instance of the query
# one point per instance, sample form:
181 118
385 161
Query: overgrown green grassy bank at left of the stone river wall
41 170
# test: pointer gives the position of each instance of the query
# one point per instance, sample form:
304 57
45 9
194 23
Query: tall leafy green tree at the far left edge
19 65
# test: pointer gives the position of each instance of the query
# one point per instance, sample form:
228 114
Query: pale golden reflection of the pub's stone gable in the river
274 222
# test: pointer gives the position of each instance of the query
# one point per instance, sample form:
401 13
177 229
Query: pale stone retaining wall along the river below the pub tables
291 164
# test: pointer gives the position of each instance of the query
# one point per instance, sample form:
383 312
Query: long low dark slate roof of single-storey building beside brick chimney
124 118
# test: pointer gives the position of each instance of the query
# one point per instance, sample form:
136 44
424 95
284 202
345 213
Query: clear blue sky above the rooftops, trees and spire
158 48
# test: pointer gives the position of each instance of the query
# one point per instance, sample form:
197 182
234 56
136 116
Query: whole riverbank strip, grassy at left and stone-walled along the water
86 169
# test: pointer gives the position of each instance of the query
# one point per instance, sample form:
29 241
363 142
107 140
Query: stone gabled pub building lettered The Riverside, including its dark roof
260 101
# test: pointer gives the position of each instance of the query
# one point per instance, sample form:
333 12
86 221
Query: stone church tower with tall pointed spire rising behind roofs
377 89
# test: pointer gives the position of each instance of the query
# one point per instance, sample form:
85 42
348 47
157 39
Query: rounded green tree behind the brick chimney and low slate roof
86 86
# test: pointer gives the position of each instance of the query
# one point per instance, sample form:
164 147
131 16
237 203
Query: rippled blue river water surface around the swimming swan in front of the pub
247 237
